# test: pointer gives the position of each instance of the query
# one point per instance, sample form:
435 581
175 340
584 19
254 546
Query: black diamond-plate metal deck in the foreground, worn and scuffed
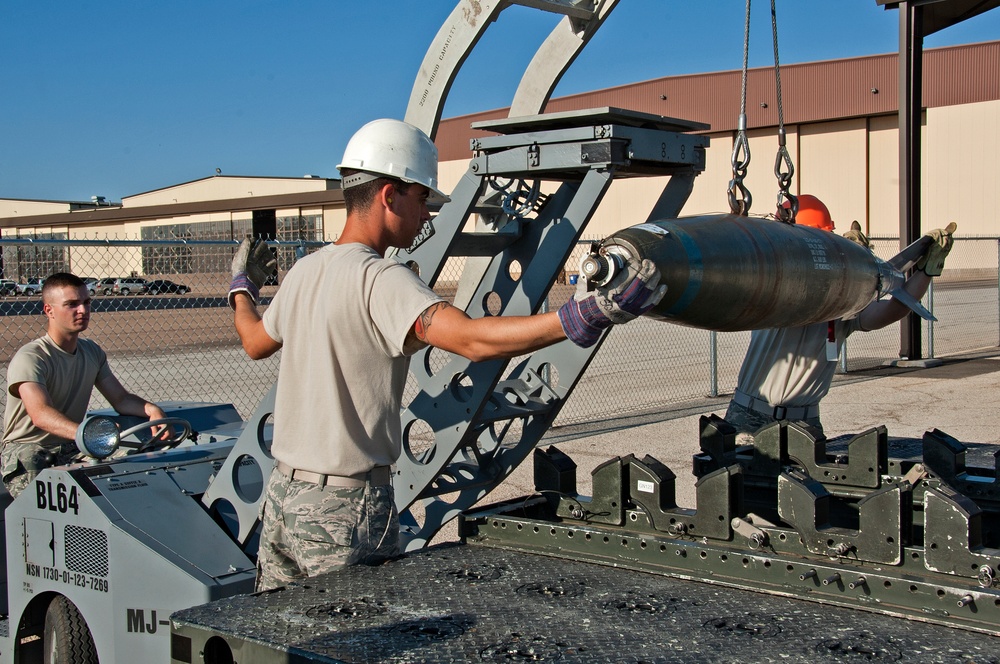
470 603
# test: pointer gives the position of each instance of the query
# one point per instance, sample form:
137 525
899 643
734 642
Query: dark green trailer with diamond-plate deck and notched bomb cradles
625 575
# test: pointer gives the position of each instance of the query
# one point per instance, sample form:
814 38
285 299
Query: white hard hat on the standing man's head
395 149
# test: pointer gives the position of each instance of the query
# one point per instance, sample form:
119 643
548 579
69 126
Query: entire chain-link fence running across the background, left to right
169 345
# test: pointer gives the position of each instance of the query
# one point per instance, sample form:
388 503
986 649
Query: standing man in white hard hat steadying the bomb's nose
347 320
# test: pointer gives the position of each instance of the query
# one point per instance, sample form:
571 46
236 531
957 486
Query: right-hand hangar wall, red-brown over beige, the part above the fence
841 137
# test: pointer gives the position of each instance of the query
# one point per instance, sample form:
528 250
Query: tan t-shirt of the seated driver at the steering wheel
68 378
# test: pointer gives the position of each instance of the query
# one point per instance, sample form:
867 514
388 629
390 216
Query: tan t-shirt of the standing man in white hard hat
342 315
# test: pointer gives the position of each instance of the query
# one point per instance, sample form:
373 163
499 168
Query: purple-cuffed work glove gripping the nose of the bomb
588 313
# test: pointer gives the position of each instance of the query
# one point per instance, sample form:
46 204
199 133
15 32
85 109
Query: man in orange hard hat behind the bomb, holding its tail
787 371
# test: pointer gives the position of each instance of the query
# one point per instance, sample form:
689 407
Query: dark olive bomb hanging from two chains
730 273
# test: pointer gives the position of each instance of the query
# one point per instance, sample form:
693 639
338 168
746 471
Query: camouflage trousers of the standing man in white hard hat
308 529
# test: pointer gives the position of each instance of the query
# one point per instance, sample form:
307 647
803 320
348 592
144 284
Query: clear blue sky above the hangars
118 97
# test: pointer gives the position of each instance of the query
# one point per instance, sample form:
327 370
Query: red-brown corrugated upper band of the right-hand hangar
812 92
